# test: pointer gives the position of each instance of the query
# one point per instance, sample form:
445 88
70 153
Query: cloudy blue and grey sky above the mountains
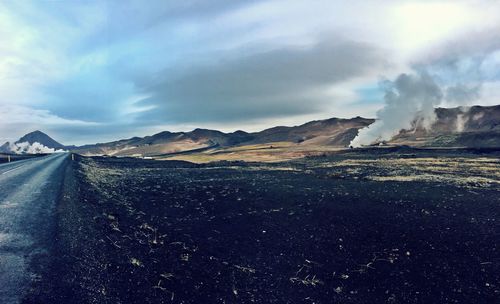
95 71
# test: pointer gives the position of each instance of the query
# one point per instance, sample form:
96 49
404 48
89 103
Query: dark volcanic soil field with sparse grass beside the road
319 230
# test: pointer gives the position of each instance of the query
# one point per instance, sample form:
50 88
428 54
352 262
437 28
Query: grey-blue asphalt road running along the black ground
29 190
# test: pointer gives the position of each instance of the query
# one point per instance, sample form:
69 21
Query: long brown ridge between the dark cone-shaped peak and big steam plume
333 132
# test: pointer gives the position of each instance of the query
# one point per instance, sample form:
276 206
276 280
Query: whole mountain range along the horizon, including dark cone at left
476 126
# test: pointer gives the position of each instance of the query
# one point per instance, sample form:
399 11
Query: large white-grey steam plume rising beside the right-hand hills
410 98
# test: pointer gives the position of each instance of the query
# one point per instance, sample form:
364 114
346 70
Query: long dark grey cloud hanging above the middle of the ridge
272 84
